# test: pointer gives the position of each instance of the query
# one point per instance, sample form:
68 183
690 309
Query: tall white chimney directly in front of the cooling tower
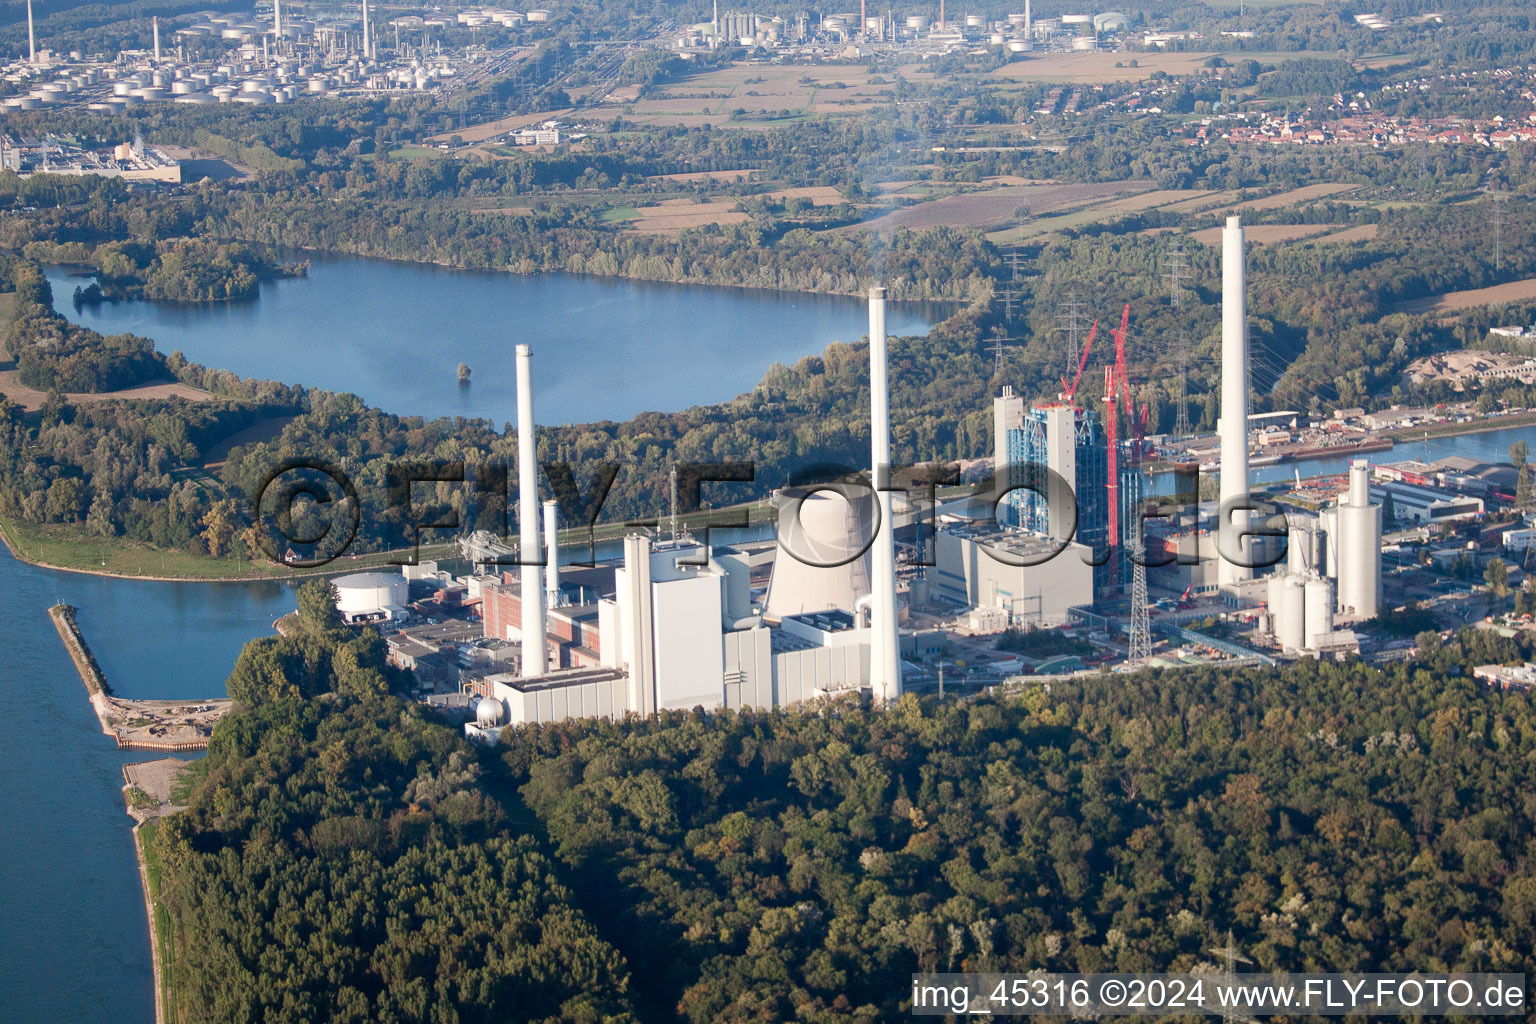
886 661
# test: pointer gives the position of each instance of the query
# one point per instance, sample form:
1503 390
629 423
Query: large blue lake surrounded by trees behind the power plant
394 334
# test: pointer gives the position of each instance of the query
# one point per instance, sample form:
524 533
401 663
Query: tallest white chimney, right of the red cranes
1234 397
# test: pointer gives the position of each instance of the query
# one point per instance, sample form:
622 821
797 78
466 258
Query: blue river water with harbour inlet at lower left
74 945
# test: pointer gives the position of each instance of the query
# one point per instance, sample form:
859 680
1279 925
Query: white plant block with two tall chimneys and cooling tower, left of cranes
681 630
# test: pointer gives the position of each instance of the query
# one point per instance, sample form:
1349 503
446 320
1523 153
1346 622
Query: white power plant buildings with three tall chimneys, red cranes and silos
1058 543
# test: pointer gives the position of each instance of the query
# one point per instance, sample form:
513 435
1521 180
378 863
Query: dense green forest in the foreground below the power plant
346 859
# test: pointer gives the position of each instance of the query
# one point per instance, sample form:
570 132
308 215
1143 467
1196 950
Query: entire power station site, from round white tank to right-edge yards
1062 564
